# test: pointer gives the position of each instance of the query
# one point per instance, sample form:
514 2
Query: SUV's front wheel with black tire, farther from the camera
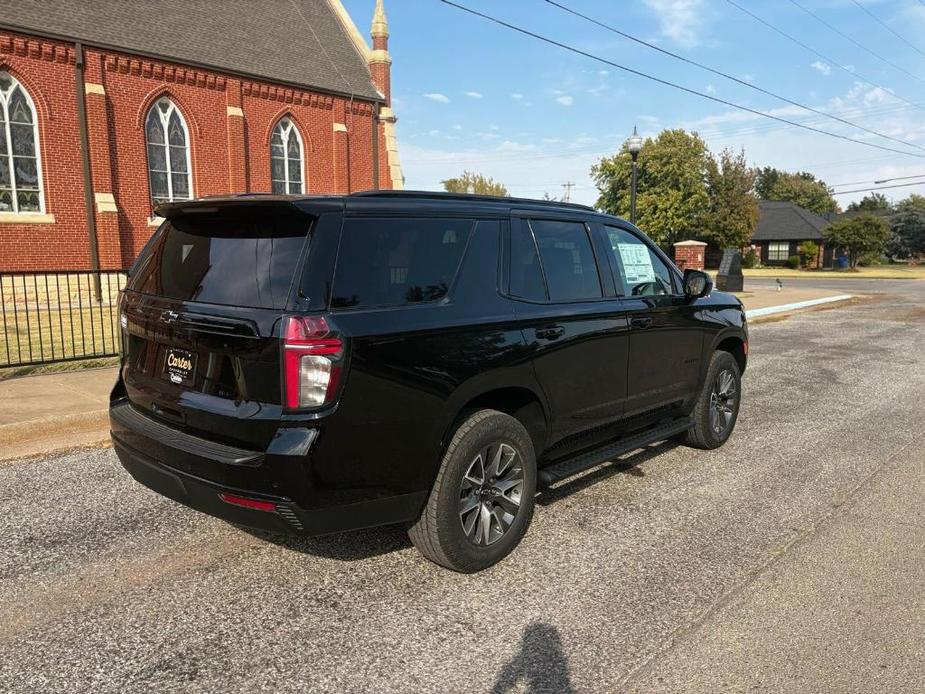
705 413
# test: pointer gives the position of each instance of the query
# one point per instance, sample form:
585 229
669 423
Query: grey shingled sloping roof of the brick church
298 42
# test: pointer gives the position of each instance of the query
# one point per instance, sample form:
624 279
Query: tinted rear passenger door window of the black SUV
568 260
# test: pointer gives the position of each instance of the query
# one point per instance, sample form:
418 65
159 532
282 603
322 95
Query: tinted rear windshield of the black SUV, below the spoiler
244 260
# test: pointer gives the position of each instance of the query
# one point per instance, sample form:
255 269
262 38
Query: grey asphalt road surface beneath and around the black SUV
793 559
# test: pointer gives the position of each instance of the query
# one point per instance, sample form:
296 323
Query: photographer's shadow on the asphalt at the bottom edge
540 664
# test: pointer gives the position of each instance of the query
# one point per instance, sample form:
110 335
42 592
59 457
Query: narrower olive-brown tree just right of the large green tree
732 212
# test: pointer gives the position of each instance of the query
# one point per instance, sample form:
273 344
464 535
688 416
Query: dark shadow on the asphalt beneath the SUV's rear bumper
349 546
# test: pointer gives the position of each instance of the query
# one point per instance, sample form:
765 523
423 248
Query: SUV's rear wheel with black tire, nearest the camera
439 534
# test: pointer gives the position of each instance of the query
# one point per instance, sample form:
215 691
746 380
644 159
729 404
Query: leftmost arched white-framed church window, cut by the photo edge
20 170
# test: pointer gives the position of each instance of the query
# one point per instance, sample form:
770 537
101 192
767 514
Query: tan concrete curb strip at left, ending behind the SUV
54 434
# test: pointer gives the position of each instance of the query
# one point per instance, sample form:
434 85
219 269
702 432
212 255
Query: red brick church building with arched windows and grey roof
109 107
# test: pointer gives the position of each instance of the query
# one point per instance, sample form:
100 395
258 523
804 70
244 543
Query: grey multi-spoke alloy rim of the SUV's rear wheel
490 494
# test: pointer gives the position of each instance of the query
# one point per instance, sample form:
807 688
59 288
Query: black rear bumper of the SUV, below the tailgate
154 462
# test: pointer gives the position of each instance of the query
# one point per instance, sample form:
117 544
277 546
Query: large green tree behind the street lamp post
672 191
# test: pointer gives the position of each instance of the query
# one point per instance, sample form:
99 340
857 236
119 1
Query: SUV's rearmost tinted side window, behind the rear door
391 262
